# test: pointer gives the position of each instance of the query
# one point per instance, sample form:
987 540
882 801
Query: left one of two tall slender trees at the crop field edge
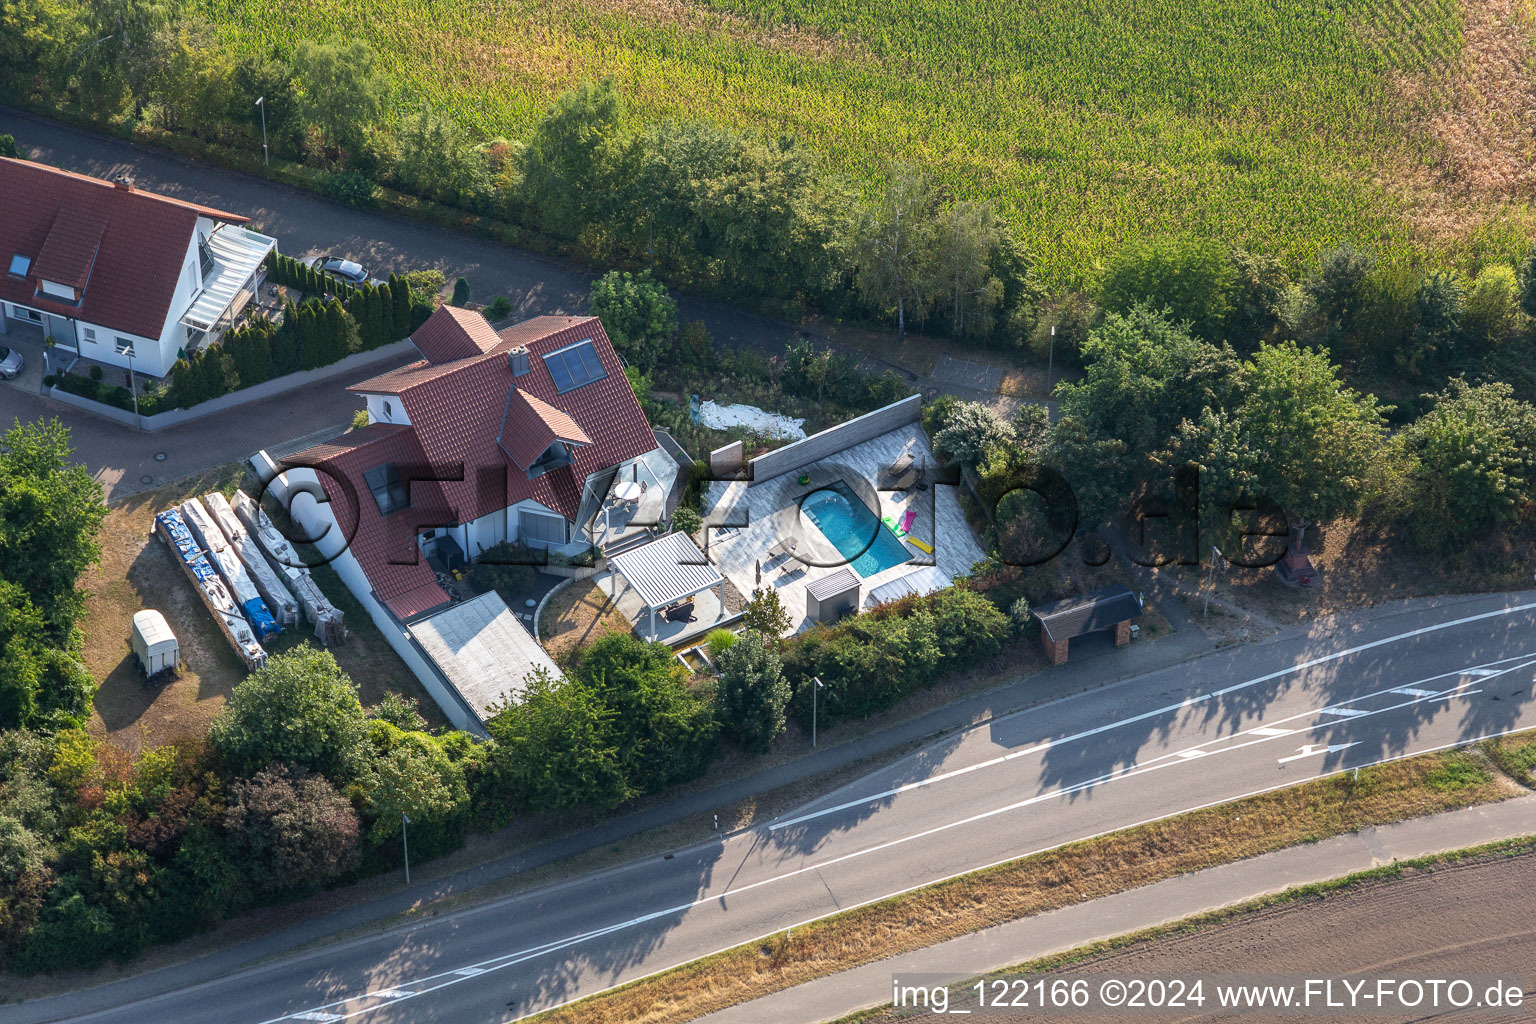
895 248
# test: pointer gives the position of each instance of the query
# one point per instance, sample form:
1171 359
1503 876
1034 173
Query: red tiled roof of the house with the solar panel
457 412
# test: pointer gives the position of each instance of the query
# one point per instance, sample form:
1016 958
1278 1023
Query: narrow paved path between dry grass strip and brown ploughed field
1160 903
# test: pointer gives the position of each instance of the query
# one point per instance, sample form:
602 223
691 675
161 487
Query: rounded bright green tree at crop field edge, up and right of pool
1191 280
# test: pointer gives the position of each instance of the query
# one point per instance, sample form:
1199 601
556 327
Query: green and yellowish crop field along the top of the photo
1283 125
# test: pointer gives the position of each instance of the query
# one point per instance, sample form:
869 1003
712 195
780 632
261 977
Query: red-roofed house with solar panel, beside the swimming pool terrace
492 437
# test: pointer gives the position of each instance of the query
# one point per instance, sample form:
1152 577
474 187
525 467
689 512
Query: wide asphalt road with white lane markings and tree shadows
1228 725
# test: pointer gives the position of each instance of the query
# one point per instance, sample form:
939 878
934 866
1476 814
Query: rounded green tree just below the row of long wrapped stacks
299 709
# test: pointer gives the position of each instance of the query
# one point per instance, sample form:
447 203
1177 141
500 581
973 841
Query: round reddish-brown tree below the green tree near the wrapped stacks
290 831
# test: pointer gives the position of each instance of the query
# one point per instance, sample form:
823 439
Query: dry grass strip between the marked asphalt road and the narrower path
1045 882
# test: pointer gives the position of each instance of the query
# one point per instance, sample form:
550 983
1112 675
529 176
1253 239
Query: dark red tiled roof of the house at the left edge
139 254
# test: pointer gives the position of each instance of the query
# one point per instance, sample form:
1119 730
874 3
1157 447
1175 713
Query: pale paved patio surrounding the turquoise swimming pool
756 518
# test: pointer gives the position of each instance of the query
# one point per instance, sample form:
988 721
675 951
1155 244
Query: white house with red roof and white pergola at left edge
116 274
